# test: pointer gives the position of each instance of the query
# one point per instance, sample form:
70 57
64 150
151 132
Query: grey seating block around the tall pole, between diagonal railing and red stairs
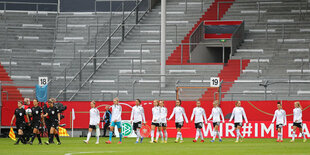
104 82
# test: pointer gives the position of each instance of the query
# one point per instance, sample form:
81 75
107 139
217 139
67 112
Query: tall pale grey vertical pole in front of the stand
163 44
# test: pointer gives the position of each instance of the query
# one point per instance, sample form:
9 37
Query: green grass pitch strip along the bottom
75 146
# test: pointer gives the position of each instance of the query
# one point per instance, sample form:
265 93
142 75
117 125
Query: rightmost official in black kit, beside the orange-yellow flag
54 116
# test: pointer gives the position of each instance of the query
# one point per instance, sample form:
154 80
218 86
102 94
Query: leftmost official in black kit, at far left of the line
20 114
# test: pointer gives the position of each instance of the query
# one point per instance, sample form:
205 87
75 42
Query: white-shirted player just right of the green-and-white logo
137 116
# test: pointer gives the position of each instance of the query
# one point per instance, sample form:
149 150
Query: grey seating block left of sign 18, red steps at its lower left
24 38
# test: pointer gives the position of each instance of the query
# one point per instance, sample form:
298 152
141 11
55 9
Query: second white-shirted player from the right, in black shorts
280 115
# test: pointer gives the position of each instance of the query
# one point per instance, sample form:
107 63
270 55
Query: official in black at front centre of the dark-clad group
37 114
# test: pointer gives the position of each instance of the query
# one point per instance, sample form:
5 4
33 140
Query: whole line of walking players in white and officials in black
48 118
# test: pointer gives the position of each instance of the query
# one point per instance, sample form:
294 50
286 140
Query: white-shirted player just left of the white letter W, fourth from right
216 114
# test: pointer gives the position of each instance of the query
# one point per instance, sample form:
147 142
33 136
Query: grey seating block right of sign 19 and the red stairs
279 56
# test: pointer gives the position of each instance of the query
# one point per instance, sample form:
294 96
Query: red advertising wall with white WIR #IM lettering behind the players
259 114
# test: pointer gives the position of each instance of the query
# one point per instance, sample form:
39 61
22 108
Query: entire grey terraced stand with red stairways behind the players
275 49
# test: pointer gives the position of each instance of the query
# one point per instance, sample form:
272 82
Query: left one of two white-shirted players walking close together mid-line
155 120
